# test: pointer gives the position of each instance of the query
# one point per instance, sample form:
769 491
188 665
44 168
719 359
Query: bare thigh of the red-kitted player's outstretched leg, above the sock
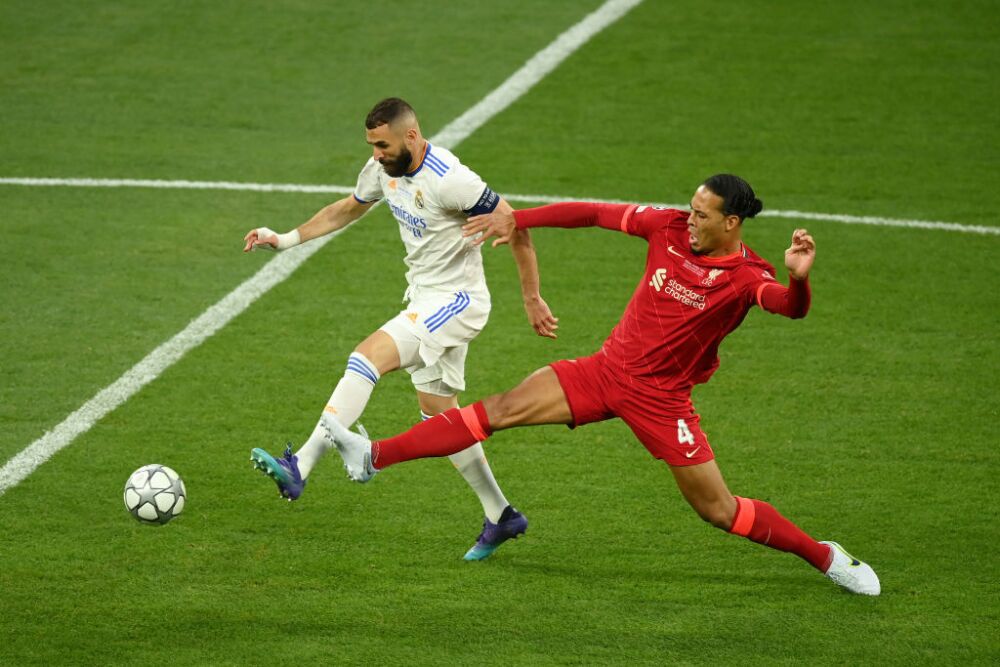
539 399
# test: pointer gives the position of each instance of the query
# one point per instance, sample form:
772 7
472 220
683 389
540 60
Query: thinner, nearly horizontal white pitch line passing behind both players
537 199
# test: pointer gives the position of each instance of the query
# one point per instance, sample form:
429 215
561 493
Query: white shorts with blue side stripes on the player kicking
432 335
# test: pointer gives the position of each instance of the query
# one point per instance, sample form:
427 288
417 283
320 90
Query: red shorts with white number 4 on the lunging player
664 421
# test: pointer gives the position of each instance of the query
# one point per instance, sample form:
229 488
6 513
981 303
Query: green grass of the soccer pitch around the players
871 422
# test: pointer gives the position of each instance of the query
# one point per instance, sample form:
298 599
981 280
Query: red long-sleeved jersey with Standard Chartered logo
685 303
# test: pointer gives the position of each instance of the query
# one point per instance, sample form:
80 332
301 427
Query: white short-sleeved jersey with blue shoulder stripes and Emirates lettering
431 203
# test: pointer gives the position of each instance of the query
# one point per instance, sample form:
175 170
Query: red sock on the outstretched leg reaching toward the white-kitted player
441 435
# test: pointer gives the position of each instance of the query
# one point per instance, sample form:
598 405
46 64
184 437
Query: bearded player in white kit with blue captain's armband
431 194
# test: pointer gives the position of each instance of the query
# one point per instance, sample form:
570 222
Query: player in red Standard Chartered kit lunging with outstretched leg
700 282
